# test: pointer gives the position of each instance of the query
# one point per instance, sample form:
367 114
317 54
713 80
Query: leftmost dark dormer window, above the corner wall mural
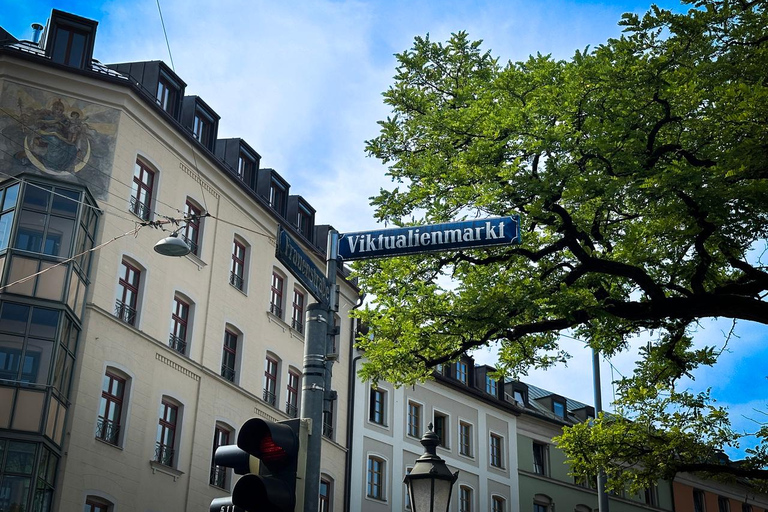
70 39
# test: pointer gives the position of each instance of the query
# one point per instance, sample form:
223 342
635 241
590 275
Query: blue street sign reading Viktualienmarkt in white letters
432 238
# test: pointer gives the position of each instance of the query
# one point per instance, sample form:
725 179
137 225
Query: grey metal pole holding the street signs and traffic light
317 377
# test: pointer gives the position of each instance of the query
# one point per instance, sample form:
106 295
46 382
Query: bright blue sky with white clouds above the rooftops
301 81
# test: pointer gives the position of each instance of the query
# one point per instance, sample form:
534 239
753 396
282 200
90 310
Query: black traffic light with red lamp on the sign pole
272 459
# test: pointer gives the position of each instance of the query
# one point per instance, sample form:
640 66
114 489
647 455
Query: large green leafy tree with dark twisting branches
640 171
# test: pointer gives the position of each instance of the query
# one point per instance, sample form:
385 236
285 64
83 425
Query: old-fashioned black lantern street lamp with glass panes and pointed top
430 481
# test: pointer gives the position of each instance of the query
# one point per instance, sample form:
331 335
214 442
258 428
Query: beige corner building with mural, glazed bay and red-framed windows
122 369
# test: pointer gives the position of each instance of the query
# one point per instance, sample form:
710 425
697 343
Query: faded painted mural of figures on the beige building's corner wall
56 135
